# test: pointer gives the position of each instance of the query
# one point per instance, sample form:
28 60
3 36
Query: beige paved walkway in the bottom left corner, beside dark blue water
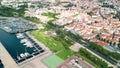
7 60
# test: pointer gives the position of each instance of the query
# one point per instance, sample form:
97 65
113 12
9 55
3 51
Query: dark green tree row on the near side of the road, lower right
100 63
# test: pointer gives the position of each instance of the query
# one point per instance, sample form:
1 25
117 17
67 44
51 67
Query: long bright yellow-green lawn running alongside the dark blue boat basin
52 44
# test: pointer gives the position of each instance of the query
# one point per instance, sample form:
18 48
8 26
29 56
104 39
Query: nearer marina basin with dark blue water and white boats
20 46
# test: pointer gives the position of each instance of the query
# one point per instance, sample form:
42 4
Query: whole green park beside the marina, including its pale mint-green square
61 51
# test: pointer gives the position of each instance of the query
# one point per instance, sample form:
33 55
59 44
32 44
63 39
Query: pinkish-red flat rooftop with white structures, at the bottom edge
74 62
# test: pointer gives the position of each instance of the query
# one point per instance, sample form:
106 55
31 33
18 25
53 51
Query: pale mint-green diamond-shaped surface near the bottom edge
53 61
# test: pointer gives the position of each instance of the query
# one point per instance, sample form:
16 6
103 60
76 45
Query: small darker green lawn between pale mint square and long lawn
64 54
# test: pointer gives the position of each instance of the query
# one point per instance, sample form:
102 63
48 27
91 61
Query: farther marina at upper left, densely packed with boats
15 25
